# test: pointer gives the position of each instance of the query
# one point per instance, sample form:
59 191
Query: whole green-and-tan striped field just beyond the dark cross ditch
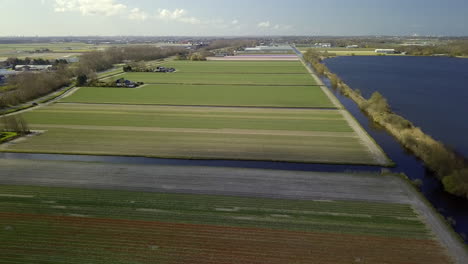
196 132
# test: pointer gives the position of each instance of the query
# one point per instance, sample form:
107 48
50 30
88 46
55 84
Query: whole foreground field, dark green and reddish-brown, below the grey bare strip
63 225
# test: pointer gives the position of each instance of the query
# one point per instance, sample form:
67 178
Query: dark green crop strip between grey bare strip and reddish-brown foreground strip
333 216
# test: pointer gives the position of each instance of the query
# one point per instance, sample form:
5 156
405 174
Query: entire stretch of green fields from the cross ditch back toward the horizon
273 118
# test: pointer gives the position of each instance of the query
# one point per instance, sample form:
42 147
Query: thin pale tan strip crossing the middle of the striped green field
204 131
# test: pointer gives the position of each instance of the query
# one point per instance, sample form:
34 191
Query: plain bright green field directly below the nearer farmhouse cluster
222 95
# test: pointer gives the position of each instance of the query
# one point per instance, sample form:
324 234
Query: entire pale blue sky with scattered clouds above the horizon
233 18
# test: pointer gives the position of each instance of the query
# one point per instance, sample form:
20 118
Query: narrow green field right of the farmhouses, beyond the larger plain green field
219 78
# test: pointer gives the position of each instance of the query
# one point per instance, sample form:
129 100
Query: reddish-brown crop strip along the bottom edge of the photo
186 243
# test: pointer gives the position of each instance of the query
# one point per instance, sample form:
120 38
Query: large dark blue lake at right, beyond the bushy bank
432 92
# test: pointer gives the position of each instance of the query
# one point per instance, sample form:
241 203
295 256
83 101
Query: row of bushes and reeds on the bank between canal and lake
451 168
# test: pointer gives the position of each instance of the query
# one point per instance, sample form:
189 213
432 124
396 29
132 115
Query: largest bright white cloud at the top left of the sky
90 7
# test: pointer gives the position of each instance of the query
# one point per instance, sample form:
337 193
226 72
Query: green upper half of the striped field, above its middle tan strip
189 117
